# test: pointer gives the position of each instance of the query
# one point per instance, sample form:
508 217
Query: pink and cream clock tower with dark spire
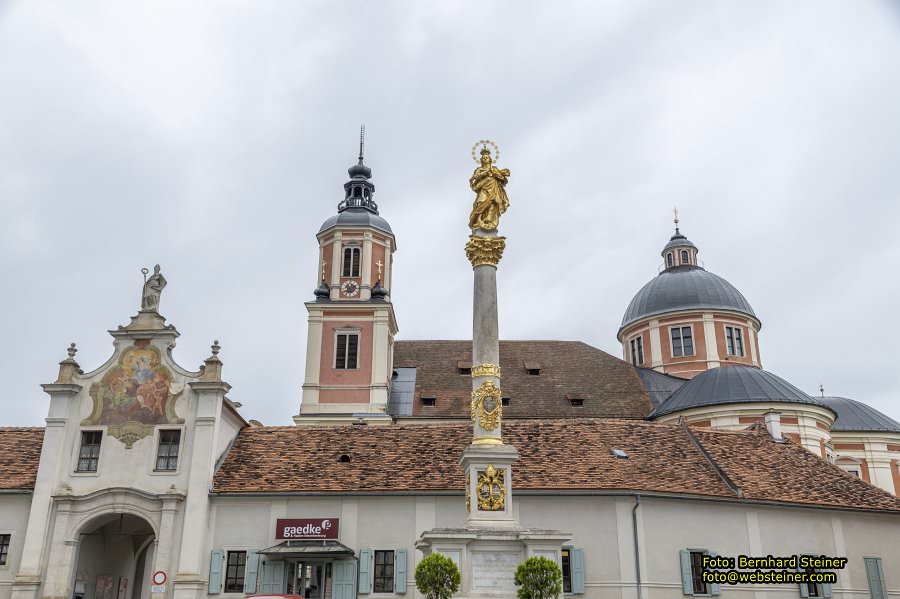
351 321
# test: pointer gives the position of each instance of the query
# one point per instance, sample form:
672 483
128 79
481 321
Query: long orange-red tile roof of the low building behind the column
554 455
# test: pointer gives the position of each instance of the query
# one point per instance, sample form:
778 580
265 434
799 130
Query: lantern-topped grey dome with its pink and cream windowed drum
687 319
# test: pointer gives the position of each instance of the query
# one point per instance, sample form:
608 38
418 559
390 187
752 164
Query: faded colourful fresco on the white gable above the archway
134 395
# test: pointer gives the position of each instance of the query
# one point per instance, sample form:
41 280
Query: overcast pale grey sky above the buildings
214 138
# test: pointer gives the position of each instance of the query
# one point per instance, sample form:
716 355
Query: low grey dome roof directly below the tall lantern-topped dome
733 385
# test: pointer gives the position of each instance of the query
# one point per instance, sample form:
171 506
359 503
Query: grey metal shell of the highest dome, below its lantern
685 287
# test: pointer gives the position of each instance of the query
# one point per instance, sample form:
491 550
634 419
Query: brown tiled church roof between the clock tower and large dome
608 386
